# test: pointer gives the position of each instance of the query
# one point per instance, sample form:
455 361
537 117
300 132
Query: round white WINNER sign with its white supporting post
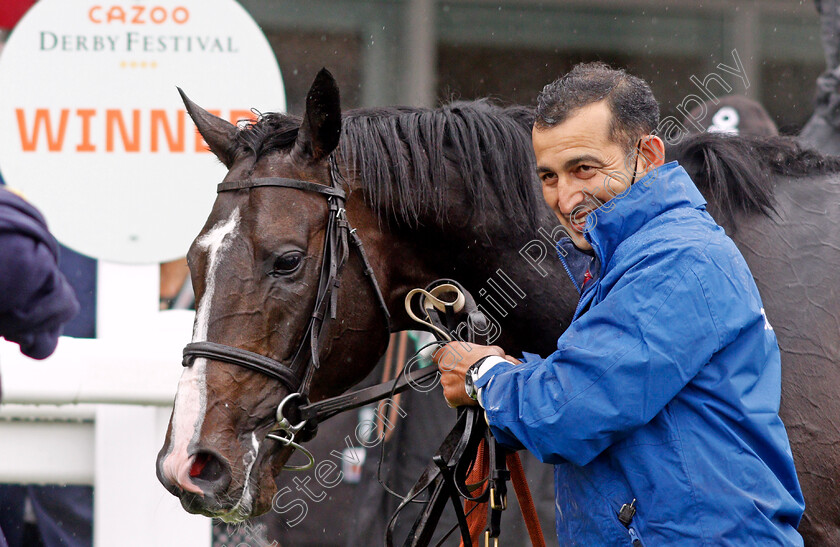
93 132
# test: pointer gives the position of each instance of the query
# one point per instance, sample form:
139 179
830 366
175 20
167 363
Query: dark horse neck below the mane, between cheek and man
489 259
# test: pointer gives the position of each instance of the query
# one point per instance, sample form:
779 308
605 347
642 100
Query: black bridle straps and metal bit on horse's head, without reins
297 376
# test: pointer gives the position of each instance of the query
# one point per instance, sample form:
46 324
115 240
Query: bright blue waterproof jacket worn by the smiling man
665 388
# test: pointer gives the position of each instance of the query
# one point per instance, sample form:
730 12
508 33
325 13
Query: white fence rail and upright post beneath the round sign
96 413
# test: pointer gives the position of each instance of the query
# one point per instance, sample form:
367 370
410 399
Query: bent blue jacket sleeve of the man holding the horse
615 367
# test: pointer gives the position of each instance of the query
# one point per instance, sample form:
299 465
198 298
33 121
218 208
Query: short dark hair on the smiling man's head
635 111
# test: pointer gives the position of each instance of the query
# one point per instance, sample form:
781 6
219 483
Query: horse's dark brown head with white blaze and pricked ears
260 267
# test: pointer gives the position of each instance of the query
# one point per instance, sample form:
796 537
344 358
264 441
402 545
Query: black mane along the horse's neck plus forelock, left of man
402 158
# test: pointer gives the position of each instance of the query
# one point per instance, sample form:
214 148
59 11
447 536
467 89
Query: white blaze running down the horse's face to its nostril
191 398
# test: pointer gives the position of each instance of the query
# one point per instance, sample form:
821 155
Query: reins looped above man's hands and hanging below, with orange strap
469 465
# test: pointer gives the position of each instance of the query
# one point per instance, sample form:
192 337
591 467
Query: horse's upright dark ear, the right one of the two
321 127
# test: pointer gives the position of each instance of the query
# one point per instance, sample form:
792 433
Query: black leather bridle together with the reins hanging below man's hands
445 477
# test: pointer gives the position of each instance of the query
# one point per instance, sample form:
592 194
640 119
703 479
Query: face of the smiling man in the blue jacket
580 167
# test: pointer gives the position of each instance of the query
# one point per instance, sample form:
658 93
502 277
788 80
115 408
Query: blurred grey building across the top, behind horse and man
428 51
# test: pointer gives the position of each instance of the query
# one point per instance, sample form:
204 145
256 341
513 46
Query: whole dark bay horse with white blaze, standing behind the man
452 193
